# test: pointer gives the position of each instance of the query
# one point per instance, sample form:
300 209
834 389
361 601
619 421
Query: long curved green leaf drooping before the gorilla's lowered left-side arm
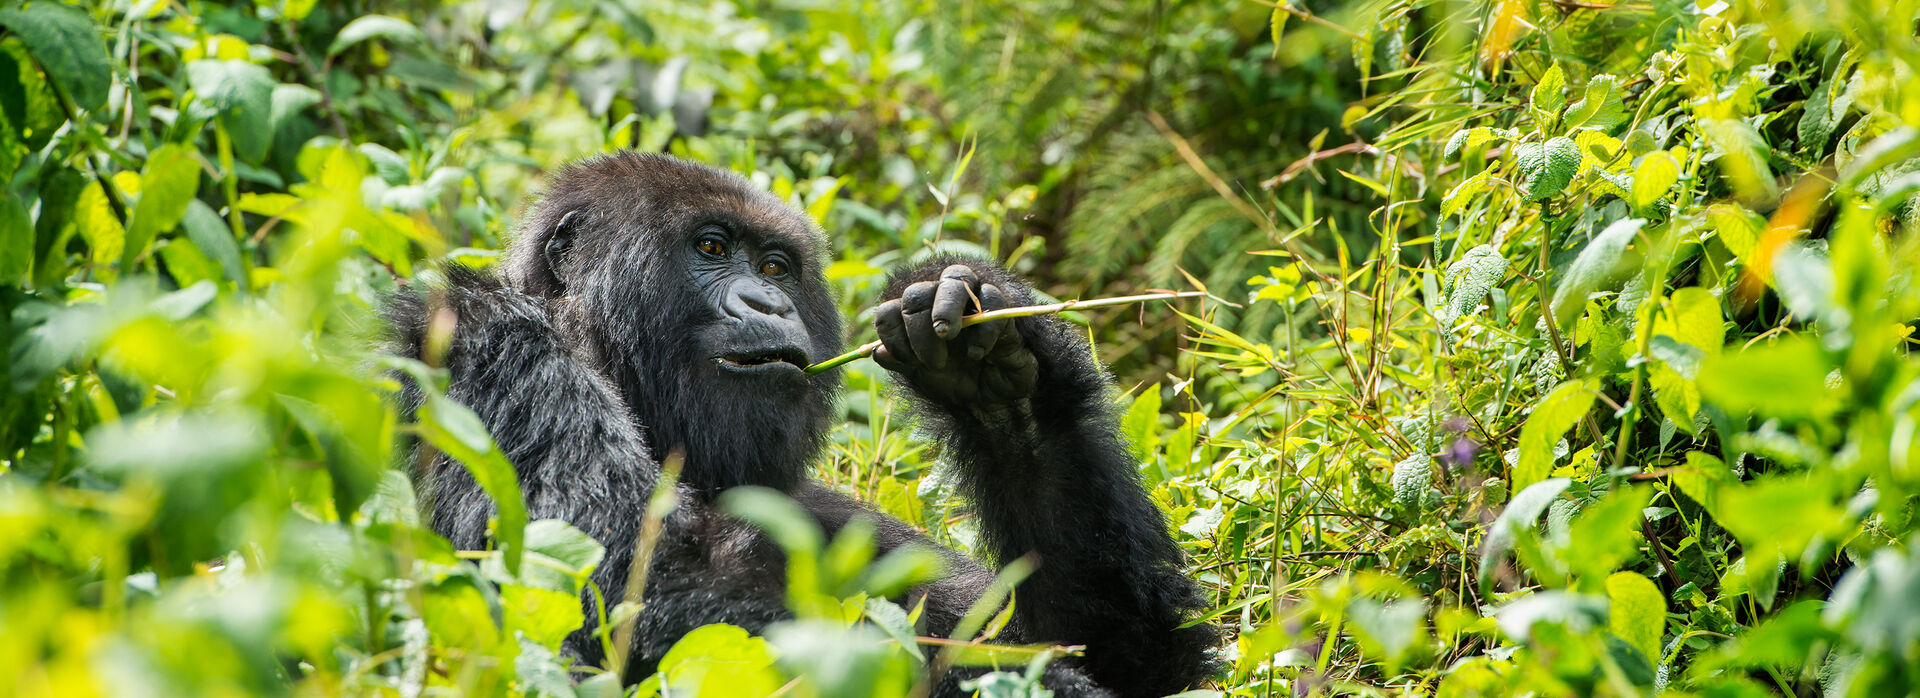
456 430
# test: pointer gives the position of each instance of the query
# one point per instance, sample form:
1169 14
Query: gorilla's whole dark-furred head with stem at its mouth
702 300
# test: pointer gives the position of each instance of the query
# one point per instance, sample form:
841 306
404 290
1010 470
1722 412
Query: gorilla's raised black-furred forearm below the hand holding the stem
1051 477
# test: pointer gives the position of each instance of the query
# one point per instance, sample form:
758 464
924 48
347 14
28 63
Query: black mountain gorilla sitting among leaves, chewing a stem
658 308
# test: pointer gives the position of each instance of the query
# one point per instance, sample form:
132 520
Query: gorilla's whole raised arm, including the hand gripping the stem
1024 413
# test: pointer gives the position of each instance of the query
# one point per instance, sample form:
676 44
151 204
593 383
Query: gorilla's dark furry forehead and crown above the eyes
658 197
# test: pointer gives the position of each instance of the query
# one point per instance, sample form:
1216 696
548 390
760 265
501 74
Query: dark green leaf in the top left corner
68 45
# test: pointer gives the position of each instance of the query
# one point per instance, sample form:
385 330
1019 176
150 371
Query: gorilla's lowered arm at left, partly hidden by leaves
579 459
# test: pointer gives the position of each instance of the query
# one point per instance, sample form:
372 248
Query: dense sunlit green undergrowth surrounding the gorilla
1572 348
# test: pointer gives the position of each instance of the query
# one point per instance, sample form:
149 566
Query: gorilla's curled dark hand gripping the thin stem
923 340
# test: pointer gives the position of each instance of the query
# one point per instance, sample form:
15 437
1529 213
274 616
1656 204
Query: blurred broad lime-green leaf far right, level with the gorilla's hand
1785 379
